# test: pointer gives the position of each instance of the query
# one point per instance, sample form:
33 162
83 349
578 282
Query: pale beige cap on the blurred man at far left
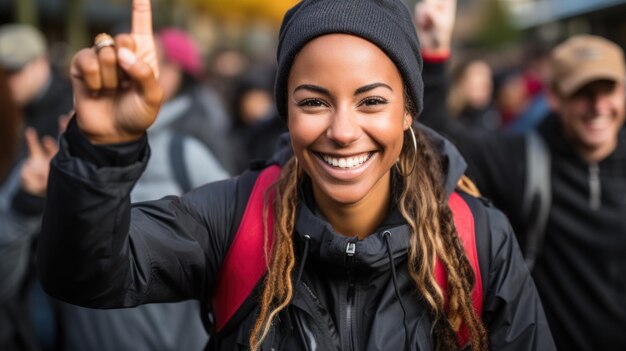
20 44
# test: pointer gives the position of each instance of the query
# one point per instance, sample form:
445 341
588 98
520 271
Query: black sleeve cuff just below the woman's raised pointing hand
110 155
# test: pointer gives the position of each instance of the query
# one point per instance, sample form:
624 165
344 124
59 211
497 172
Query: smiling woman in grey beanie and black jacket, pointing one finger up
360 206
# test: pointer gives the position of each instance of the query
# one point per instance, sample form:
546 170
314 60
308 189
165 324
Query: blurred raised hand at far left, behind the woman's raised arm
35 170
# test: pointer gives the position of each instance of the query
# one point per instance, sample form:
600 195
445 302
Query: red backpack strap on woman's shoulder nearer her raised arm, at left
238 277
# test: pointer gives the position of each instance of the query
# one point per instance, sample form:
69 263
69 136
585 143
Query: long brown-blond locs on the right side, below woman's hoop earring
423 200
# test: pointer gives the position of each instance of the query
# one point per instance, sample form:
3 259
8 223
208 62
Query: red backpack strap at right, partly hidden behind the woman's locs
464 222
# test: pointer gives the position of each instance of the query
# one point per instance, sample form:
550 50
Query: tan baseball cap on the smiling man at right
583 59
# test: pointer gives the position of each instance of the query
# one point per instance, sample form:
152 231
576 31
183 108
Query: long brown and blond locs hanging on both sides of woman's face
424 205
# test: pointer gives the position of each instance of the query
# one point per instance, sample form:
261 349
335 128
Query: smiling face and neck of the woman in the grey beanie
347 118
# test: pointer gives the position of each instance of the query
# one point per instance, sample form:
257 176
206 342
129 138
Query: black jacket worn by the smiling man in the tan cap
581 271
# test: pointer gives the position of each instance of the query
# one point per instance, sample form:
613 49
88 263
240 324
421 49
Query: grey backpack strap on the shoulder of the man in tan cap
537 195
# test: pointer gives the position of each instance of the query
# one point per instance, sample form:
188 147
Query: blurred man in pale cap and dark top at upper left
43 94
